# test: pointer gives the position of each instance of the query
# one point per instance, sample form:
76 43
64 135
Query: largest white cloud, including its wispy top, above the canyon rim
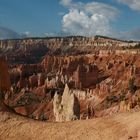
88 19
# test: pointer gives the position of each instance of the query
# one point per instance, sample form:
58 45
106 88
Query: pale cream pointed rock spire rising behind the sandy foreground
66 108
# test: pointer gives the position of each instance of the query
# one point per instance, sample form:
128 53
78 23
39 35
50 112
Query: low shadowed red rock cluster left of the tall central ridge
27 75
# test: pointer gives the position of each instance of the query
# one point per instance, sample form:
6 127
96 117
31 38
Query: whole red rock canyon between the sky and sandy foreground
62 79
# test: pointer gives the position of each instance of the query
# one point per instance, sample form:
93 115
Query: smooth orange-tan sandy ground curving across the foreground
120 127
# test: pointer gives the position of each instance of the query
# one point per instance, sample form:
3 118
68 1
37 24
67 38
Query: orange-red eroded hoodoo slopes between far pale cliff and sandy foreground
102 85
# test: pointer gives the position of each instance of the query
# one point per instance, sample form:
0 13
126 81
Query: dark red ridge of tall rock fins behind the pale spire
76 70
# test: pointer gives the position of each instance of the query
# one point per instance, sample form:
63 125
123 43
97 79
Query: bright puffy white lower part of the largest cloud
79 23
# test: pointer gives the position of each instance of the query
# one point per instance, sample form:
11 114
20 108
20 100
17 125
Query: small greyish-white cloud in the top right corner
133 4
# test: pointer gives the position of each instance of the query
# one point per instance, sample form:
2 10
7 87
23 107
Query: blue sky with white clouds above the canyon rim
114 18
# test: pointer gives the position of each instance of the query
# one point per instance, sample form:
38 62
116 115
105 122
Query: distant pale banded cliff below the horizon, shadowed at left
28 51
